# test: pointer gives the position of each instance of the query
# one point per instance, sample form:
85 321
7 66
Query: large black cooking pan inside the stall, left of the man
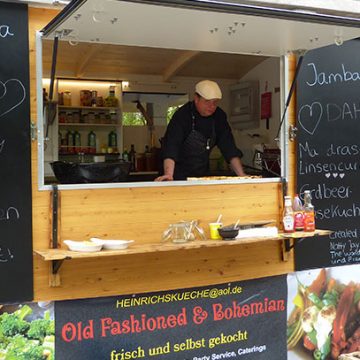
99 172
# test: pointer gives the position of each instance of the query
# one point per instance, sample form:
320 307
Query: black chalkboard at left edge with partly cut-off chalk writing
16 281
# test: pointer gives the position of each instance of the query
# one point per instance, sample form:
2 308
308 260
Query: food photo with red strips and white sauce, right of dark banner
323 314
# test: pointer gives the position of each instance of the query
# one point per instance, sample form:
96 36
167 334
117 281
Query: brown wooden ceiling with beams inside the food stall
91 60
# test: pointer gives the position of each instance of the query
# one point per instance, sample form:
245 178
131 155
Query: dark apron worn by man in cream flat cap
194 156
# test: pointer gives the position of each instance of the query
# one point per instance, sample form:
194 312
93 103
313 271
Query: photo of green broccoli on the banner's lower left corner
27 331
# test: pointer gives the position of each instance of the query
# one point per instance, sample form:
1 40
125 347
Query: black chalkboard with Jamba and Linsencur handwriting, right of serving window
328 152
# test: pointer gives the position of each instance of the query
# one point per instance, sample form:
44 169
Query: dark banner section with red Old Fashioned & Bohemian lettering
243 320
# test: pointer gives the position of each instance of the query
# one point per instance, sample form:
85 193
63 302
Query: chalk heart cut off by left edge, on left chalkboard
12 95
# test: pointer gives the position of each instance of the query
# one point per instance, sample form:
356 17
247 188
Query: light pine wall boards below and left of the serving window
142 214
